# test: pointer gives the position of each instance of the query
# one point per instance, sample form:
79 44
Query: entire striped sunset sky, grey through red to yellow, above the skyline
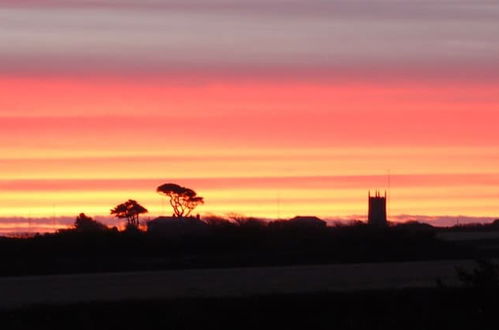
270 108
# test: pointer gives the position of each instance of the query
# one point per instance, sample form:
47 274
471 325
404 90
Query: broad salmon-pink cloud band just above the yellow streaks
347 128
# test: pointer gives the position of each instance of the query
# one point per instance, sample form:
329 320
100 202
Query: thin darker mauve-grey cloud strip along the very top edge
406 9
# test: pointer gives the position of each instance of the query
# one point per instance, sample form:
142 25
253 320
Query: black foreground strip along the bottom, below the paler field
399 309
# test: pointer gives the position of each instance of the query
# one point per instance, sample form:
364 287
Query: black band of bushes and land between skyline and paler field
174 243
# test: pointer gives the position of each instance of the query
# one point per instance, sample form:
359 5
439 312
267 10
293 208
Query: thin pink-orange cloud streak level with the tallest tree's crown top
325 182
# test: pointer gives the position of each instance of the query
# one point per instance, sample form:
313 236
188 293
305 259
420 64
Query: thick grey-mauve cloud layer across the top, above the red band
314 40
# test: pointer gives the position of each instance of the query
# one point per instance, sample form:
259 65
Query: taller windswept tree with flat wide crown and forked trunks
183 200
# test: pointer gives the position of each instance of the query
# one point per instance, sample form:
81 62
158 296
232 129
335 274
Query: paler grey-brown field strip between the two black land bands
228 282
